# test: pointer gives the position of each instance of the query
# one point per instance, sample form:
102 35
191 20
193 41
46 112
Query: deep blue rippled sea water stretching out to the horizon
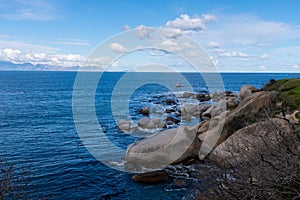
38 134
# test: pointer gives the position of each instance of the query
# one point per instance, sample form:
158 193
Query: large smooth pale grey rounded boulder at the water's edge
164 148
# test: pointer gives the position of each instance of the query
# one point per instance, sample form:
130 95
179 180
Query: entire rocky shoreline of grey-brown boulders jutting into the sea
230 131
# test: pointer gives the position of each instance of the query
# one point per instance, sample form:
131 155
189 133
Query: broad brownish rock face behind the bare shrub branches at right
249 141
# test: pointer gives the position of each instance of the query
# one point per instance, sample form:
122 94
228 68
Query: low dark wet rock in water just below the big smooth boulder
150 177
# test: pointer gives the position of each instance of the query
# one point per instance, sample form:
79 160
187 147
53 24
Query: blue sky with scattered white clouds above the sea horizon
253 35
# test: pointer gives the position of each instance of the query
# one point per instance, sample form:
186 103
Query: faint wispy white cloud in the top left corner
28 10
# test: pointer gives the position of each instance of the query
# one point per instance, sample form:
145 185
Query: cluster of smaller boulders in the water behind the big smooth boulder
209 105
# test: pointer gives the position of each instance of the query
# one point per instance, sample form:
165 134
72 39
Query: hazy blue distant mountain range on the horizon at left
7 66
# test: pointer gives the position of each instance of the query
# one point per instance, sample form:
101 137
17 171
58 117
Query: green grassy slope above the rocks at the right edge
289 91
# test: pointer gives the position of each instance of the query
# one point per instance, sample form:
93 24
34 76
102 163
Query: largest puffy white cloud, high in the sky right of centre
187 24
